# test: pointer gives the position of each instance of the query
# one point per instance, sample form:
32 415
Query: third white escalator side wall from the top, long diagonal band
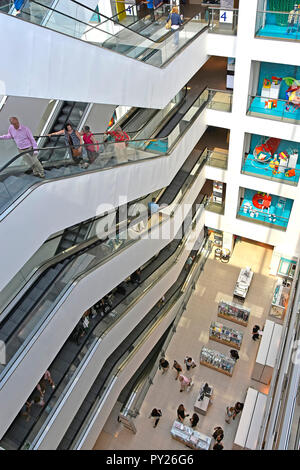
42 348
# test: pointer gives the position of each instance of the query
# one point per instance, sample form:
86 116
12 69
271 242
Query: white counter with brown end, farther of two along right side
267 352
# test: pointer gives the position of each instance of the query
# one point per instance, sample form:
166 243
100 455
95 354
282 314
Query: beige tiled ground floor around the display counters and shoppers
216 283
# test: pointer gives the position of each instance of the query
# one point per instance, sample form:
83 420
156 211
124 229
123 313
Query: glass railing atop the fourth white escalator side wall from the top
101 330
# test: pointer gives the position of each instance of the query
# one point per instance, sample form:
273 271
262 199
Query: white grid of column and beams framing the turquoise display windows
249 49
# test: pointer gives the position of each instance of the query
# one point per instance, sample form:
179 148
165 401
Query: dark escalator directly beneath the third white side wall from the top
71 353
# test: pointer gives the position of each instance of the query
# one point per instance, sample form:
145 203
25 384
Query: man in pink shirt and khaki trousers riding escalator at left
26 143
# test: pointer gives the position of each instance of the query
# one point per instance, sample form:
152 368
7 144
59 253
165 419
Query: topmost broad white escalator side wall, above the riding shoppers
48 69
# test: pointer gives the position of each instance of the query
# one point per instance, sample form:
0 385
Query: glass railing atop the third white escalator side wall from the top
79 267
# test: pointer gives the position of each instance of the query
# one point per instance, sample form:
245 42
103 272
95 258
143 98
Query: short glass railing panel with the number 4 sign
222 20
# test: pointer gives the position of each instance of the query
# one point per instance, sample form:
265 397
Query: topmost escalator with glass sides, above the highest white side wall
141 41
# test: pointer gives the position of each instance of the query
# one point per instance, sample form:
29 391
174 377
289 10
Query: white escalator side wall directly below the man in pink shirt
56 205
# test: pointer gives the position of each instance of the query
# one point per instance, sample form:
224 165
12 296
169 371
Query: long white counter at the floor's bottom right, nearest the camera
250 422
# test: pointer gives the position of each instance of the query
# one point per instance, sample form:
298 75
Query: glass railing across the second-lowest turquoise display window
252 166
